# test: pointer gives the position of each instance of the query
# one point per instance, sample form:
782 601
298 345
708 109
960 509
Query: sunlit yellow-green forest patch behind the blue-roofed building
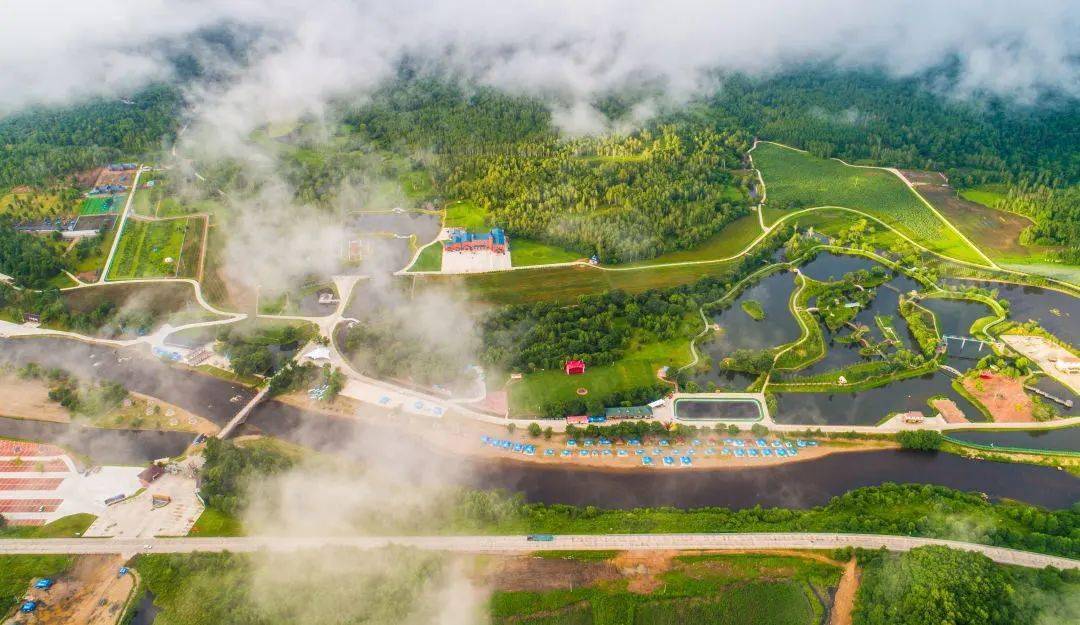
623 198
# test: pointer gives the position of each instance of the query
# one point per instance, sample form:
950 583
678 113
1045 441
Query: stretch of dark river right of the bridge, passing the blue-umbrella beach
799 485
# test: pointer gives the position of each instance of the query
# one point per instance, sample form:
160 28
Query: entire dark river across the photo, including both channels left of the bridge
802 484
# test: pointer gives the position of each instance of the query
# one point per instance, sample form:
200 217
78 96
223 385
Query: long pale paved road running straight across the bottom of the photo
519 544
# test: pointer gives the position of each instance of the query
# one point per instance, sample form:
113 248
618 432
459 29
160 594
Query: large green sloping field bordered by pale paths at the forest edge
800 181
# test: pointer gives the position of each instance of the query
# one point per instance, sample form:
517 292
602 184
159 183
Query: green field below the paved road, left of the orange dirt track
738 590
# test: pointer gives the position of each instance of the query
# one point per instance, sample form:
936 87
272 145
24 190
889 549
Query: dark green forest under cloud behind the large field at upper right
907 124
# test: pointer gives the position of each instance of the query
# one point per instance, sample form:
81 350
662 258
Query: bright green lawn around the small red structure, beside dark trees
637 371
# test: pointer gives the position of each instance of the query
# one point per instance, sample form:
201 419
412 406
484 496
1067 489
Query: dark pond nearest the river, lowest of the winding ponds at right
869 407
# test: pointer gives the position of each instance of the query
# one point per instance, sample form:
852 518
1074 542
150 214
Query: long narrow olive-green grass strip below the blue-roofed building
566 283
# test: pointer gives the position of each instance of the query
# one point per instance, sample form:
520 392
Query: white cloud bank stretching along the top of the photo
55 51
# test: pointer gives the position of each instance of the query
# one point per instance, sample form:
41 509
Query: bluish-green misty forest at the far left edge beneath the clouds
43 144
